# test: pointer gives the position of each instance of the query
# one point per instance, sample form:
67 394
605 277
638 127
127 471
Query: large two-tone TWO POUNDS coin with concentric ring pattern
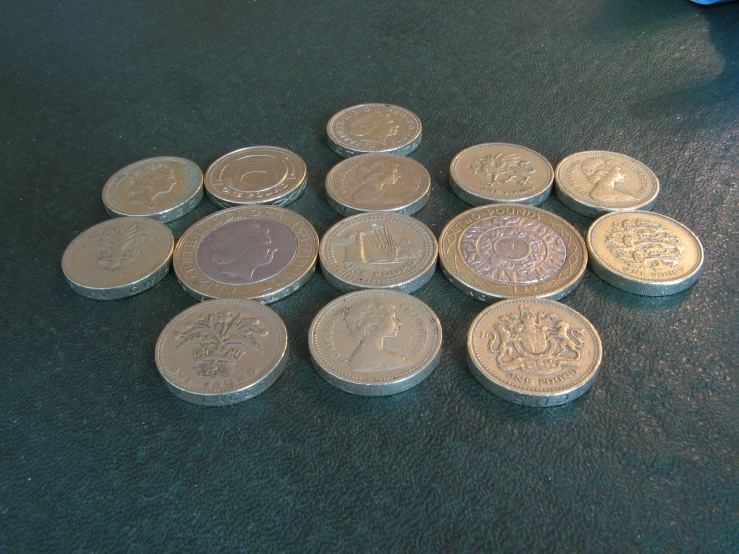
512 250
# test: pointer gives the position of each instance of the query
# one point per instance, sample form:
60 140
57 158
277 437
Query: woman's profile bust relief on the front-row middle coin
370 323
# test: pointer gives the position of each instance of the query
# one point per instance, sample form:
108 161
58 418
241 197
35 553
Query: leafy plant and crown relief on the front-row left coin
219 340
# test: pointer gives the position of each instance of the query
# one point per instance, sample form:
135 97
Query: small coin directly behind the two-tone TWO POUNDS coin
497 172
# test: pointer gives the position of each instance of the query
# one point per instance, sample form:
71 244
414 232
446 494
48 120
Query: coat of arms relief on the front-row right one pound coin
536 343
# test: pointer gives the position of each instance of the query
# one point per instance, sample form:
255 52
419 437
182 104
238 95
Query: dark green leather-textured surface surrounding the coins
96 455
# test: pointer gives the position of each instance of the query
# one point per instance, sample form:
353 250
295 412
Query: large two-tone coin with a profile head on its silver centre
260 253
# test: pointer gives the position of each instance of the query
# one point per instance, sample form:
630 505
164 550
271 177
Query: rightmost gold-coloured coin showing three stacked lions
644 253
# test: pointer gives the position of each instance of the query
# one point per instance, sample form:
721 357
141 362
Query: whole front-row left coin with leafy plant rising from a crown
222 352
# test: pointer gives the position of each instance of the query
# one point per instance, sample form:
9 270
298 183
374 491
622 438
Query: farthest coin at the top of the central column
370 128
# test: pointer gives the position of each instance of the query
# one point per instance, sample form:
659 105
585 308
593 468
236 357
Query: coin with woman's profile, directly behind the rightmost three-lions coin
597 182
